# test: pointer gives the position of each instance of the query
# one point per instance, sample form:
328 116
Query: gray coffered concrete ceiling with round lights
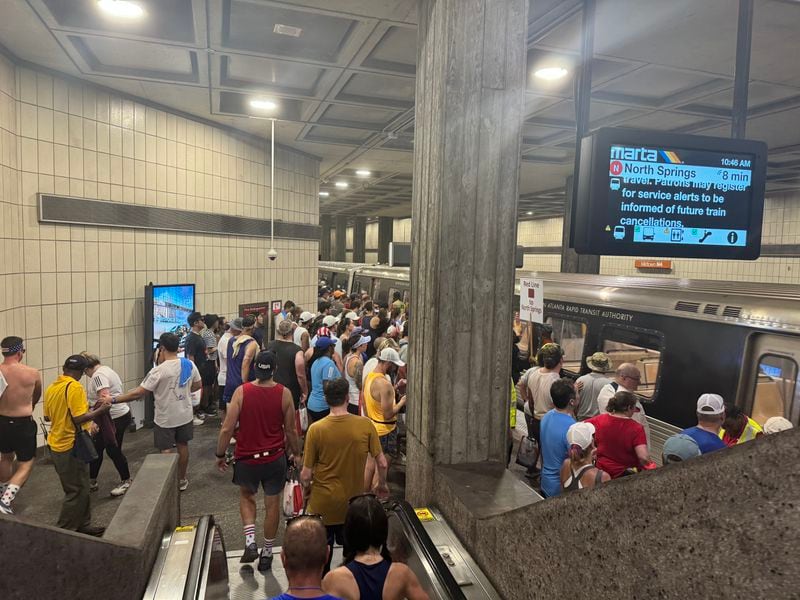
342 75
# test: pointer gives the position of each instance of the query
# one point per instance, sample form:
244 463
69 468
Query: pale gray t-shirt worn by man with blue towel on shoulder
173 402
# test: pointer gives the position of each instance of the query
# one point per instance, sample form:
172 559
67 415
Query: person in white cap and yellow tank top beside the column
379 399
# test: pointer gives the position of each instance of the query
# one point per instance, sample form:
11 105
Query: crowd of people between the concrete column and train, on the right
594 429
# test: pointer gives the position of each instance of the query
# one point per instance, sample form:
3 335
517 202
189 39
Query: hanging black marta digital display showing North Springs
649 193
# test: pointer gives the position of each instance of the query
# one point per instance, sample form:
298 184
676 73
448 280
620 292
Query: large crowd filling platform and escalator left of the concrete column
321 402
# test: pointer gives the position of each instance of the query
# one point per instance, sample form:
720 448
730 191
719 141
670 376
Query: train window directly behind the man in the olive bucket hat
639 348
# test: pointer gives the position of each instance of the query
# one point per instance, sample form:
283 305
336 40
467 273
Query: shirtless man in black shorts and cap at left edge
20 390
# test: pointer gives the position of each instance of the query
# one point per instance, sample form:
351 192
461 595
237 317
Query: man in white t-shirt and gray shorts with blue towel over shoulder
172 383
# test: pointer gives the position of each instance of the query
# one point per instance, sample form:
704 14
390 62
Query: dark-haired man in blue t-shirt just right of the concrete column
553 435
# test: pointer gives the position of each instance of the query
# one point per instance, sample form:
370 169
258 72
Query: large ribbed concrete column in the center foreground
471 74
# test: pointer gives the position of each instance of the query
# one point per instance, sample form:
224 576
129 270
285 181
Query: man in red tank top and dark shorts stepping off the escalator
265 412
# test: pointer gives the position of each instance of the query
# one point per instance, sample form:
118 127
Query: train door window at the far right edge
776 393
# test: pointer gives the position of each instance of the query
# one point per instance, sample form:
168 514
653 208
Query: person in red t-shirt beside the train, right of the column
621 441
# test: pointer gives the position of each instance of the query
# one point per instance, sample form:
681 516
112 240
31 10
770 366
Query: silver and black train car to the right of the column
739 340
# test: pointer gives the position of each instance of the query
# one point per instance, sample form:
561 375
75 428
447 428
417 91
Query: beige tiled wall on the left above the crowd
72 288
